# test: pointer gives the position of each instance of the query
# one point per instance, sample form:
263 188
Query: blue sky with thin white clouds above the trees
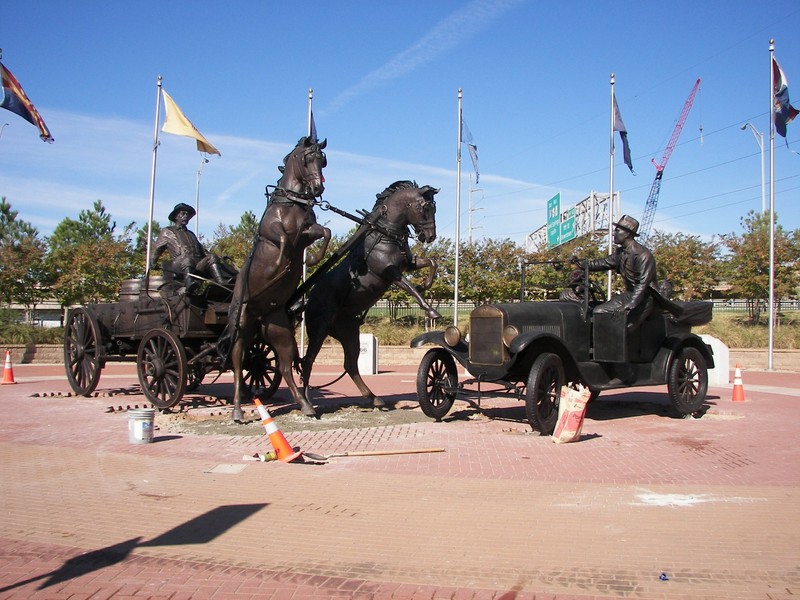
535 78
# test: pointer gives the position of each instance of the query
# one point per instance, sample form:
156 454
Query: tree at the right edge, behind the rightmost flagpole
747 265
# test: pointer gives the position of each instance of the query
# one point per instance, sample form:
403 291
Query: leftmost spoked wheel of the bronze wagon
83 352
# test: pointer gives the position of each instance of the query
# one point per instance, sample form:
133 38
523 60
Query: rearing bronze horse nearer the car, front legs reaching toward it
341 298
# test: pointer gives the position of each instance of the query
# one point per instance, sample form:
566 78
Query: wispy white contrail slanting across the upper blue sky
456 29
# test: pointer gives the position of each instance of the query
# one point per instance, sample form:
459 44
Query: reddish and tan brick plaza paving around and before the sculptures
710 503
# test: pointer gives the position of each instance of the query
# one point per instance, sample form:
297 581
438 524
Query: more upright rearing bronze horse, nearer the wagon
274 268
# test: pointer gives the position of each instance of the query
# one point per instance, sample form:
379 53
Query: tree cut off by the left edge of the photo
23 278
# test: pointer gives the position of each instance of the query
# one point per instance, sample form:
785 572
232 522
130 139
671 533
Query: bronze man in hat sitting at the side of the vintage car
638 269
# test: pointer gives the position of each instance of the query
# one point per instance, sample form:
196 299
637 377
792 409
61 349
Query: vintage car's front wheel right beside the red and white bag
544 392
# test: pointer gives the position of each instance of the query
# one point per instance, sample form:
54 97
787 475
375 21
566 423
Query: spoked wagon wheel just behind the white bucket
162 369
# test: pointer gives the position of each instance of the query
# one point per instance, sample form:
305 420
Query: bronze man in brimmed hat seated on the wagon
188 257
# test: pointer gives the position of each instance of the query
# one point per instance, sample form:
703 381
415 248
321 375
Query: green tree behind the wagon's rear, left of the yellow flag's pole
88 260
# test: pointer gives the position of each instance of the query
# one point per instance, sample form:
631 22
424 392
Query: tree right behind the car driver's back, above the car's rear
690 264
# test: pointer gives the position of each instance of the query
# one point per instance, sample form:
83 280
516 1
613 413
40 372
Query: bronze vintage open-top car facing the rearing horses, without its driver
535 348
